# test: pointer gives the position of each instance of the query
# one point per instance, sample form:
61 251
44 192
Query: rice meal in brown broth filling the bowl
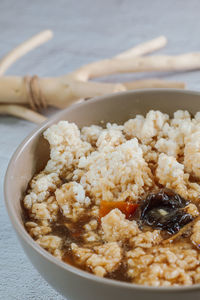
122 202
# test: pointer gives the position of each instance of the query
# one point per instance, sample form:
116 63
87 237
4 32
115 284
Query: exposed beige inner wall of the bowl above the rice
33 153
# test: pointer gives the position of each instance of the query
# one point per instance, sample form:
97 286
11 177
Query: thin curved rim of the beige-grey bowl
20 229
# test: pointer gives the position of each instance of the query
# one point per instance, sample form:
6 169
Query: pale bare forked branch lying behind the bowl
24 96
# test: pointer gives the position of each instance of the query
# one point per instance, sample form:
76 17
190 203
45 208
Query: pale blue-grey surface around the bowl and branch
84 31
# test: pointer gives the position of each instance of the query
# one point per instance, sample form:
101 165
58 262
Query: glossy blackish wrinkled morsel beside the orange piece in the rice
164 210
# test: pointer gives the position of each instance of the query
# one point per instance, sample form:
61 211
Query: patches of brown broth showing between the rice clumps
72 232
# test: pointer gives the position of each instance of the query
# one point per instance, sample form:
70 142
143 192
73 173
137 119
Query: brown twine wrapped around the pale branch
34 94
